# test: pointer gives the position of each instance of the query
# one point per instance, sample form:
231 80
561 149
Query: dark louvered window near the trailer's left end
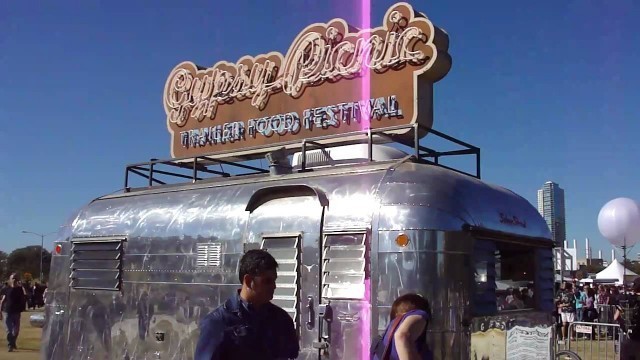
96 263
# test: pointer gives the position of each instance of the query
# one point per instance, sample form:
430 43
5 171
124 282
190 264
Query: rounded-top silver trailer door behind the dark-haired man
288 223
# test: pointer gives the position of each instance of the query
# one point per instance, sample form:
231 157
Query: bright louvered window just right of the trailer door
344 259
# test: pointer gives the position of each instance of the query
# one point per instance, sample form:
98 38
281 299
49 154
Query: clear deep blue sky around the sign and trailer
548 90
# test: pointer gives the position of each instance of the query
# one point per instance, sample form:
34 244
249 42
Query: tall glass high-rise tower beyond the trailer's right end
551 207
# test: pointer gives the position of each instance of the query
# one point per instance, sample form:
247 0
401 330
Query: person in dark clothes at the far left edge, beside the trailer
14 302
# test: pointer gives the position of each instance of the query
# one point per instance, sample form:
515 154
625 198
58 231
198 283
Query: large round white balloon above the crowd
619 221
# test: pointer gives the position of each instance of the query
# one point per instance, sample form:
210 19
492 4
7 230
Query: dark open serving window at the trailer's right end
505 277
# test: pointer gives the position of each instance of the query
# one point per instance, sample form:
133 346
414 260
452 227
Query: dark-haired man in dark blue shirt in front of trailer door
248 326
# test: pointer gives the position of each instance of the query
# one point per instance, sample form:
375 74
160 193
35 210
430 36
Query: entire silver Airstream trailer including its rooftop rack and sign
355 208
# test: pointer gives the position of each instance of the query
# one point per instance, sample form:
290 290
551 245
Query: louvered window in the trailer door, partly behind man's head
286 252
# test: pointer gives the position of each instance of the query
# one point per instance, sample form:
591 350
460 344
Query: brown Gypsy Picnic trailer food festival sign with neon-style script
332 80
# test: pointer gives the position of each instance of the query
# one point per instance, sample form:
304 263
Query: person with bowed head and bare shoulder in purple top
406 334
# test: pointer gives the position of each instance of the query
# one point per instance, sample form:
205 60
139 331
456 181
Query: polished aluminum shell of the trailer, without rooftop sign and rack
333 231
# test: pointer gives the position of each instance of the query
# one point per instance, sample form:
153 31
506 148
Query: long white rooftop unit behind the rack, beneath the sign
348 154
